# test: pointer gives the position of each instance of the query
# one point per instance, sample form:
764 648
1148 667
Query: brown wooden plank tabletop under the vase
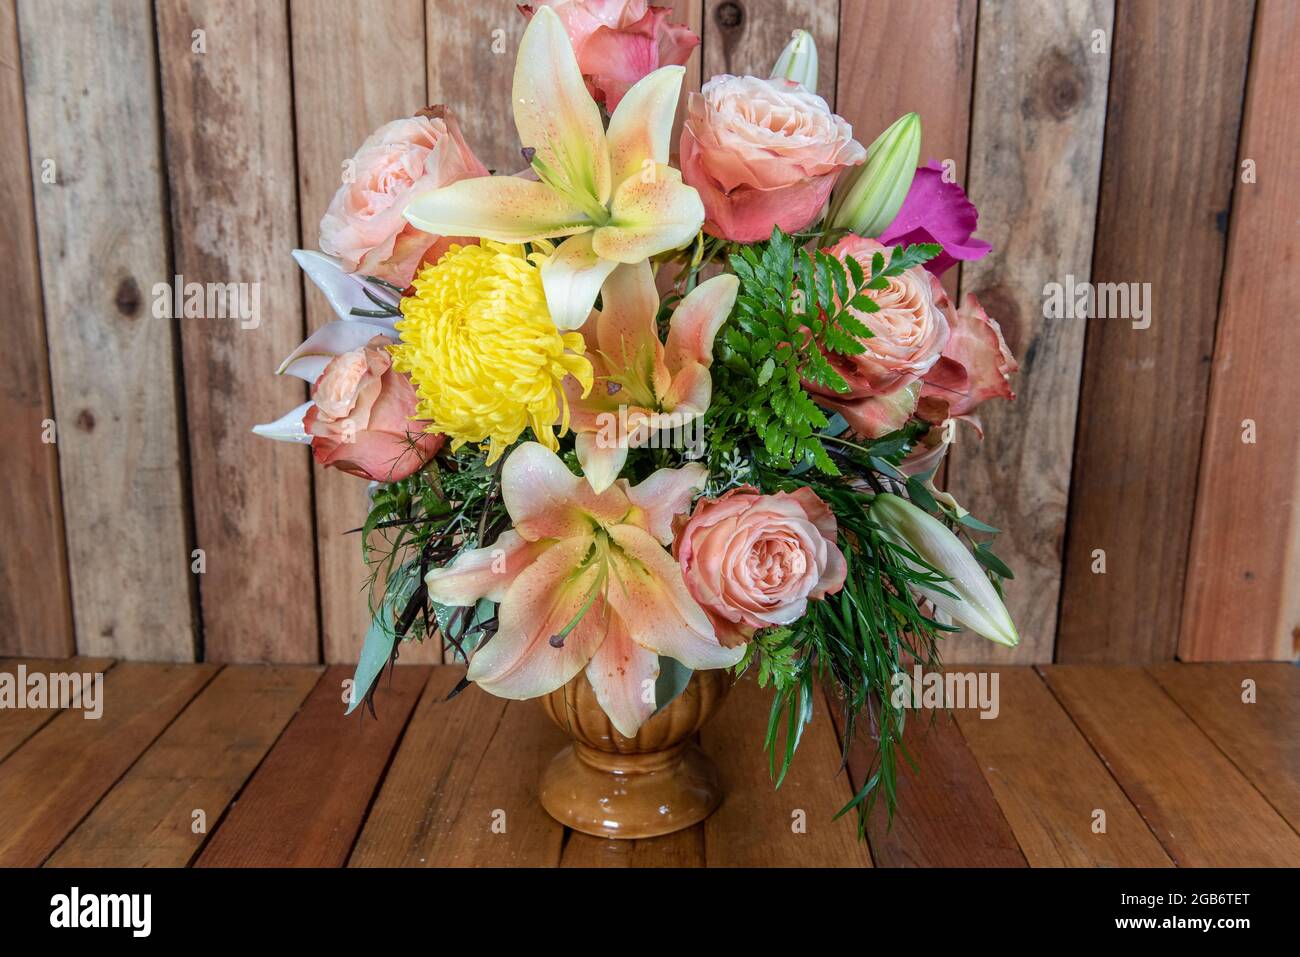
257 767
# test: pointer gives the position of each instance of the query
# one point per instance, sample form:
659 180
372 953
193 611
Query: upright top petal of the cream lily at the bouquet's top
554 112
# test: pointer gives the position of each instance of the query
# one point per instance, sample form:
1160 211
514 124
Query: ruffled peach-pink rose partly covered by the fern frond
911 332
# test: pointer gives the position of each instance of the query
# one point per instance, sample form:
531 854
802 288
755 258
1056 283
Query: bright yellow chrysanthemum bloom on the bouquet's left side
486 358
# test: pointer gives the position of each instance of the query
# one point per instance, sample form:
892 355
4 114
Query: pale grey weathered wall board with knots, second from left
93 109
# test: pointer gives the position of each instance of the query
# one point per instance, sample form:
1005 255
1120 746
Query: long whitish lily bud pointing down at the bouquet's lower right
976 604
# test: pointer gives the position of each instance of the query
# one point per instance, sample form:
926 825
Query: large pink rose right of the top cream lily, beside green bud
762 154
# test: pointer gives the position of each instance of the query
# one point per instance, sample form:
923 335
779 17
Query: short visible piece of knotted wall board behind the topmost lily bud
746 37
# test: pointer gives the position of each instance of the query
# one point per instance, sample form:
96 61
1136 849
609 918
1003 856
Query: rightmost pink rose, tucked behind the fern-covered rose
976 365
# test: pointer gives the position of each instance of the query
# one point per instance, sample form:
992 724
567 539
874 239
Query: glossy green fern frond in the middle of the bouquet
796 310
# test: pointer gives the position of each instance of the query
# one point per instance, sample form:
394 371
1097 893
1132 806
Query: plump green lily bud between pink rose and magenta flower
868 202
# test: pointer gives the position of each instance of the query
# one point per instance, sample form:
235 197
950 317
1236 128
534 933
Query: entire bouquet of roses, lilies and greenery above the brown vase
632 419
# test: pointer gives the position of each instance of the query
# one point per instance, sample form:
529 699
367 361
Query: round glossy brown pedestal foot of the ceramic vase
638 795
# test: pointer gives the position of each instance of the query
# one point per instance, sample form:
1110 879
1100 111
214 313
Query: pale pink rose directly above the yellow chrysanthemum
400 162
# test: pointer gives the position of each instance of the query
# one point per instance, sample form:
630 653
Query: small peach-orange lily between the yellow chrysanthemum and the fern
644 387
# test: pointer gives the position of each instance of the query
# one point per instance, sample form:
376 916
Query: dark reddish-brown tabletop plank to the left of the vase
309 799
